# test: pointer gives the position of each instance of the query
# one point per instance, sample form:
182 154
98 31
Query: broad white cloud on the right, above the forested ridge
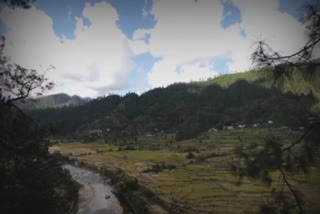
187 31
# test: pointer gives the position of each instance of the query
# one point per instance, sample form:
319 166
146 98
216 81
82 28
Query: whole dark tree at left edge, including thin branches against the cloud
31 179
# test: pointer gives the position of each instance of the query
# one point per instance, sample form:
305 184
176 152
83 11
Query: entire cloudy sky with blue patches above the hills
116 46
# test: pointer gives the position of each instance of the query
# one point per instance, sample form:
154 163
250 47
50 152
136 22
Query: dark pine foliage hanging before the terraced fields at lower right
278 155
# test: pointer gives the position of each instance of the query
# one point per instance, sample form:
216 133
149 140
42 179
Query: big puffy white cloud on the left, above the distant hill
96 62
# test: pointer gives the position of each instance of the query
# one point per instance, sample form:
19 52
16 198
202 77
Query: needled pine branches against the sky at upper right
303 61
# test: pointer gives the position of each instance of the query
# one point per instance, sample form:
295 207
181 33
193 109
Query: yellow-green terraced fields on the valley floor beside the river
205 181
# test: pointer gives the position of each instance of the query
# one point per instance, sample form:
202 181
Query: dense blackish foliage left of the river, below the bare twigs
32 180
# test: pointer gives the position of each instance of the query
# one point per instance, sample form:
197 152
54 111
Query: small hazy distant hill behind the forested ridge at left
52 101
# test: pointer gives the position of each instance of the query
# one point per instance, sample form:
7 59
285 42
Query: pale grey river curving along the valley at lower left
96 196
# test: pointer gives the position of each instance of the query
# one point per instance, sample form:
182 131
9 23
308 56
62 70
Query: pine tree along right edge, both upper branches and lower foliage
276 154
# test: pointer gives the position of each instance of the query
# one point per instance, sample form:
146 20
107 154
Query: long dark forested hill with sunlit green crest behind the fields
185 108
